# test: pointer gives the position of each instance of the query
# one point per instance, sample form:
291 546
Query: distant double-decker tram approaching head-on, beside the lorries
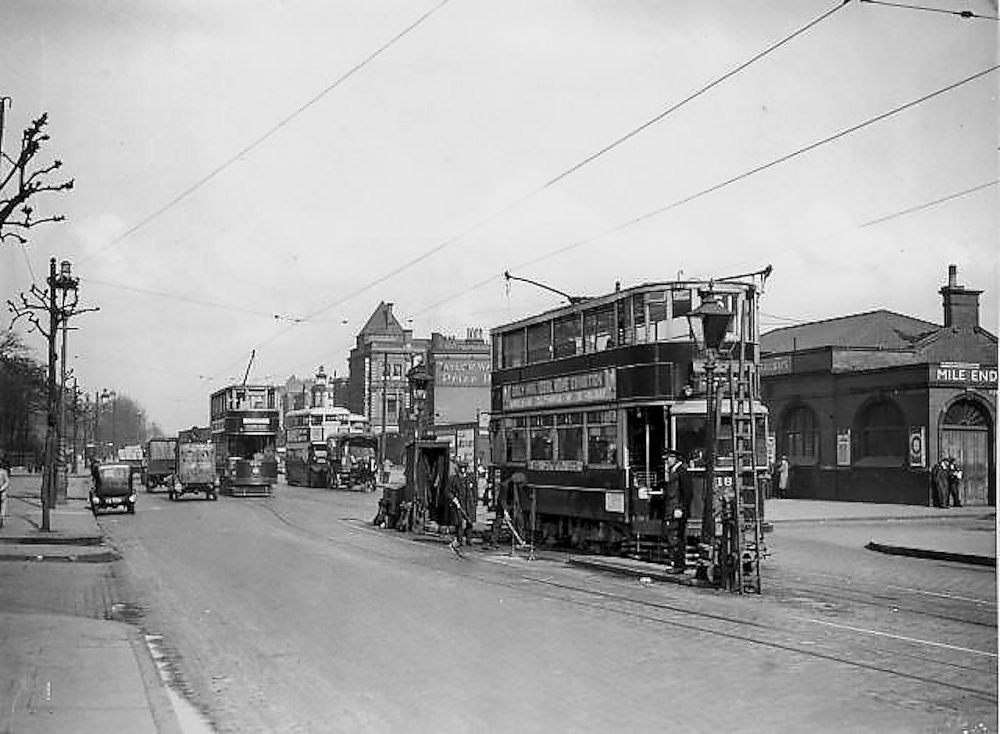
244 430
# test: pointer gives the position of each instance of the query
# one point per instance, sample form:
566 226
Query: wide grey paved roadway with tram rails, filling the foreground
294 614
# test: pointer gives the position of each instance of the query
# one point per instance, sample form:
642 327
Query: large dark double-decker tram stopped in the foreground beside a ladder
587 398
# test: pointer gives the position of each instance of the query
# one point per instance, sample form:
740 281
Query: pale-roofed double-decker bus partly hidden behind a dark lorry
307 431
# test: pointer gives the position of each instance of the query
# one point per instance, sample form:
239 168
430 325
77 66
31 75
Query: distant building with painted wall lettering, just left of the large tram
459 392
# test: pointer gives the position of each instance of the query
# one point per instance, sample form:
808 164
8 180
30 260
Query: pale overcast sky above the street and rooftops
443 143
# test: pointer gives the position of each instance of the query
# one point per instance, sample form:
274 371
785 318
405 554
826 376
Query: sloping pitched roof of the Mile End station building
880 329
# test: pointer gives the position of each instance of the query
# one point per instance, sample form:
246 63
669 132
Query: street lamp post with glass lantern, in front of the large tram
709 324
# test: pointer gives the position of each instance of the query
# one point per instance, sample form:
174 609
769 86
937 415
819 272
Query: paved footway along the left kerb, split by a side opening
61 672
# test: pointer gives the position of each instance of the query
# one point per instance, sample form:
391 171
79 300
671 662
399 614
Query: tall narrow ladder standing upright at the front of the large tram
747 543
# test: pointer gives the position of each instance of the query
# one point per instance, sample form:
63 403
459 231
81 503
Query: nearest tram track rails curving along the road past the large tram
751 632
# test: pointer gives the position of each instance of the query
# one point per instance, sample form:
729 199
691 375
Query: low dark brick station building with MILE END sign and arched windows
864 405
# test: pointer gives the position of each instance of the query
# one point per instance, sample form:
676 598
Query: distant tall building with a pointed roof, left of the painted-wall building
377 388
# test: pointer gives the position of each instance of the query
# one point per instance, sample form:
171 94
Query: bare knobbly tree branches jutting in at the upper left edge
24 179
